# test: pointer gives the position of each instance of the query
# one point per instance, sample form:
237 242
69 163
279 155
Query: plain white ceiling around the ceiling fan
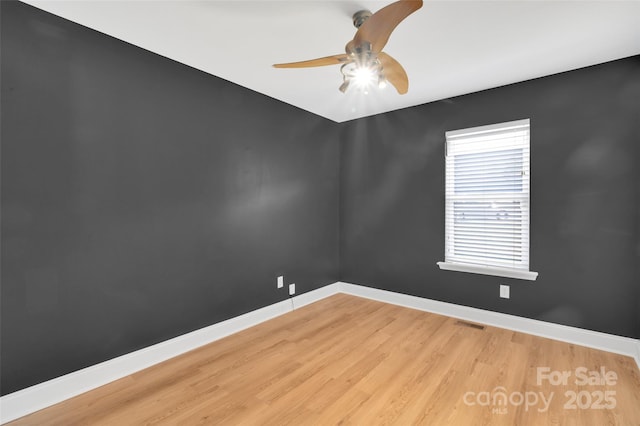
448 48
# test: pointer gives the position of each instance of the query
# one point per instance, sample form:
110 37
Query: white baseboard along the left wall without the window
42 395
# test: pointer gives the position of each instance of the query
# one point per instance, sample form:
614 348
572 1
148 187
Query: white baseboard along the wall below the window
579 336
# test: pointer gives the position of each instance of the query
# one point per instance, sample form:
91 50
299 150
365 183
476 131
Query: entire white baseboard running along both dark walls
37 397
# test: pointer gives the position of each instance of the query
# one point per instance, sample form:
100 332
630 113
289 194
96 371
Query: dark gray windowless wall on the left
142 199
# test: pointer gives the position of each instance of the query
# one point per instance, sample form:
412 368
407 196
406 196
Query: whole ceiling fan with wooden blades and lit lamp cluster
364 63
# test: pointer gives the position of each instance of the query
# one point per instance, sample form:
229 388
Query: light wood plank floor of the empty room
347 360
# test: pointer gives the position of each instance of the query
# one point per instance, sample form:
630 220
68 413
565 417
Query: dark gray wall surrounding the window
585 136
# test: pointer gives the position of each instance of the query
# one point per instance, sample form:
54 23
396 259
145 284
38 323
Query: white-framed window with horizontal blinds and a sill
487 200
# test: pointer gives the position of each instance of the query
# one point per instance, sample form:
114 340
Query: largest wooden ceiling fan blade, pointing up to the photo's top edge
377 29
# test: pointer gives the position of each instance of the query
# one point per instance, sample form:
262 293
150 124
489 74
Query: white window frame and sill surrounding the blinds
479 264
